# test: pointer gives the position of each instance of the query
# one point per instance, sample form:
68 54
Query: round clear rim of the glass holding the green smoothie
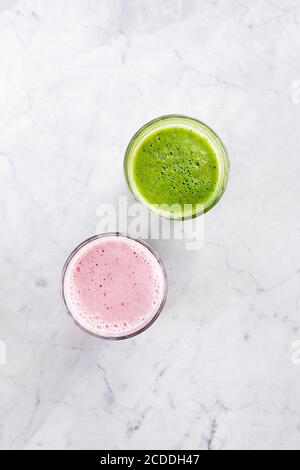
216 143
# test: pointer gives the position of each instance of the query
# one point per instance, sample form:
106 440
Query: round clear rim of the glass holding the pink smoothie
159 309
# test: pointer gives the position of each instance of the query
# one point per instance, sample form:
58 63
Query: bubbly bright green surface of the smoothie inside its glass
175 165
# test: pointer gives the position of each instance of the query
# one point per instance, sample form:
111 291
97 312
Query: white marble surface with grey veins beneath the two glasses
77 78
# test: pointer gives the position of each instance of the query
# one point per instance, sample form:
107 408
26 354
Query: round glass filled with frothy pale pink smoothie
113 286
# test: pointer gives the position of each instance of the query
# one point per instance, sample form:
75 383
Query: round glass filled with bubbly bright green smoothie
177 167
